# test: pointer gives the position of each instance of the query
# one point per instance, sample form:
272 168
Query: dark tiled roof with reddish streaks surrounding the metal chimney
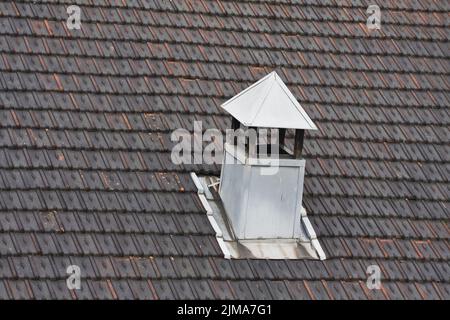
85 123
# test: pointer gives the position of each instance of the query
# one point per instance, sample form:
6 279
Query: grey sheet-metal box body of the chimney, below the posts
261 206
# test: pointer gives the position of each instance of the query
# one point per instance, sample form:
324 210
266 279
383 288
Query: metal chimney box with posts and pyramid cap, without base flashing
265 206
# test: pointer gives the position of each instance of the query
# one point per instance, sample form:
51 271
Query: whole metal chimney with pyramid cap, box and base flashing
255 207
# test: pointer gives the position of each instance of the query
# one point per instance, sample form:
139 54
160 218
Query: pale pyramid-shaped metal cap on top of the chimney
268 103
